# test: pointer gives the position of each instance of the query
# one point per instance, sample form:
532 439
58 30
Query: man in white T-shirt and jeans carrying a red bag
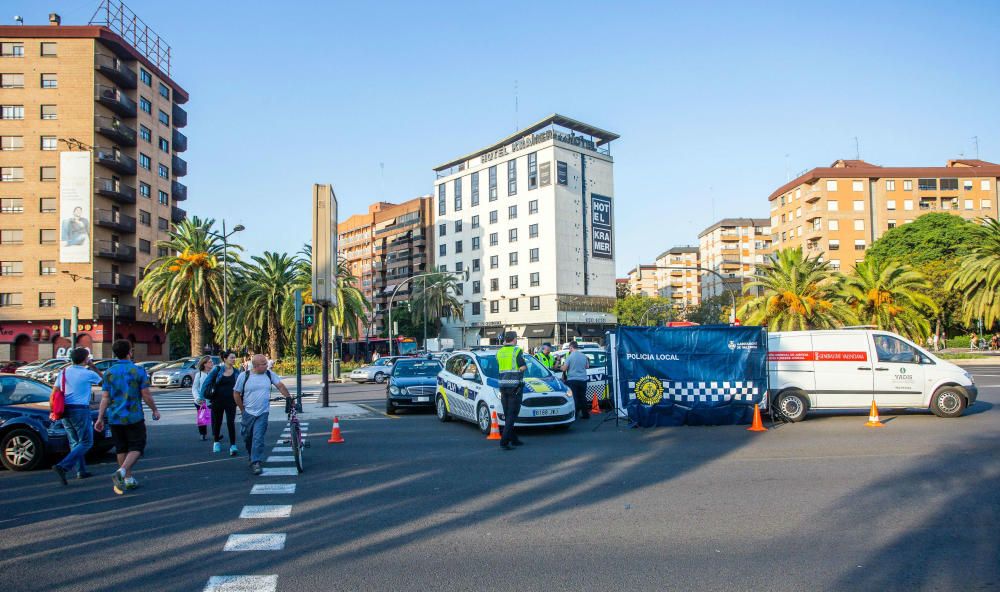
77 379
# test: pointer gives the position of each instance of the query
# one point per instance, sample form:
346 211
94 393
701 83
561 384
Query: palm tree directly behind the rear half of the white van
796 293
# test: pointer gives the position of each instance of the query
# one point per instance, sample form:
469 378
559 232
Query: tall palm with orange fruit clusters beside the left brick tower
186 284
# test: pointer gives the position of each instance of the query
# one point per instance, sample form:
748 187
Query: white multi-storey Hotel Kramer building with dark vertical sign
531 218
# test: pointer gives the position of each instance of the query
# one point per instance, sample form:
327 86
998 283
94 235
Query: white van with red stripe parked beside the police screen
846 368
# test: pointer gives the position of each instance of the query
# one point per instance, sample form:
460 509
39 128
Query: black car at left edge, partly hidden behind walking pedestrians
27 436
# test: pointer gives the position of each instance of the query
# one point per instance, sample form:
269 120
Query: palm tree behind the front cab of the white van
889 295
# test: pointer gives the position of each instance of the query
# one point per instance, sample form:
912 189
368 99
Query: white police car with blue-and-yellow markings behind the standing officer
469 389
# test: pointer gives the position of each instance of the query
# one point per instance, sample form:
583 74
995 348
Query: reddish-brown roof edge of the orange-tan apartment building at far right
852 169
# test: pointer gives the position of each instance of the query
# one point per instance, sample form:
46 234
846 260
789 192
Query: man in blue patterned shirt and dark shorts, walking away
126 388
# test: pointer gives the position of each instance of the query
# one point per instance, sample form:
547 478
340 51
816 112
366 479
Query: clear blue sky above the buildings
717 104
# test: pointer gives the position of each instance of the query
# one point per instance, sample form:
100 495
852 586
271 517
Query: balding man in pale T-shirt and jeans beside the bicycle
253 397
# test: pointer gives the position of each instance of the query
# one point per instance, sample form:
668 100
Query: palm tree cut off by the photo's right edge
978 276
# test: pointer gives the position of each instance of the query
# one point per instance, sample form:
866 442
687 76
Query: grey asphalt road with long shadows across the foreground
413 504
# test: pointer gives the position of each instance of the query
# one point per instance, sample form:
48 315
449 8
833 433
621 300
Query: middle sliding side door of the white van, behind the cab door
844 369
